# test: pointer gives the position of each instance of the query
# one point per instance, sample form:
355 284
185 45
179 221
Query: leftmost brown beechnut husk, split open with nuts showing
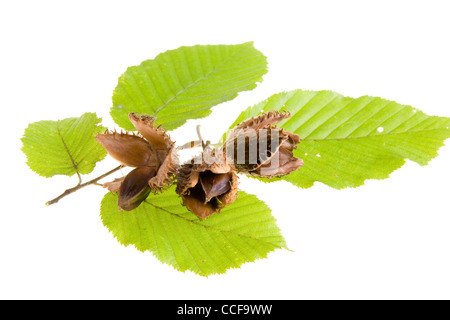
152 154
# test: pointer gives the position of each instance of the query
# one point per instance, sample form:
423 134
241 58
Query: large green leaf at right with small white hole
346 140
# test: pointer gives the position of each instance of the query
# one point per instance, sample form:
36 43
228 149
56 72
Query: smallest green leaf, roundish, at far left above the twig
63 147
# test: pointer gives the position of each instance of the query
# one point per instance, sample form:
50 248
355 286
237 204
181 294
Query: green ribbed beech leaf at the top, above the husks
186 82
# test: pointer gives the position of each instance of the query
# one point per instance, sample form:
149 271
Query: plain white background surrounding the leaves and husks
388 239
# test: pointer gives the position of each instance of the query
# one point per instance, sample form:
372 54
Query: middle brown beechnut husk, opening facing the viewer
206 188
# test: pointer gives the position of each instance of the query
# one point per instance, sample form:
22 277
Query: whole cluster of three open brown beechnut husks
208 182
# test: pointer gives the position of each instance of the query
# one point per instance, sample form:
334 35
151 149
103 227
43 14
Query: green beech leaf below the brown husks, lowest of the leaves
242 232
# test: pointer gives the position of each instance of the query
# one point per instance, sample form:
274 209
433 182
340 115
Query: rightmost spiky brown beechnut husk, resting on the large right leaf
257 147
